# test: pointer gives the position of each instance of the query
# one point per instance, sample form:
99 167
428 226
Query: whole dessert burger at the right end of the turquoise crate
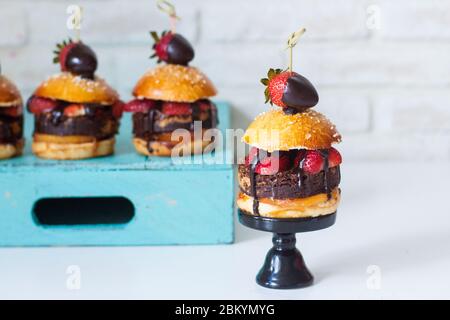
172 96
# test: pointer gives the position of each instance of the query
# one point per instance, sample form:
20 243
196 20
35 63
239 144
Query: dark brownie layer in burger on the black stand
290 184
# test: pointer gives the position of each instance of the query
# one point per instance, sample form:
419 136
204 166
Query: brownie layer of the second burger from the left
99 122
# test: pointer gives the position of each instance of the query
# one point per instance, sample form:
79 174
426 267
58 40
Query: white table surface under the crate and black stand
394 216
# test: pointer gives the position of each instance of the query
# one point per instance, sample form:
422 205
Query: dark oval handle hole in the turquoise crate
83 211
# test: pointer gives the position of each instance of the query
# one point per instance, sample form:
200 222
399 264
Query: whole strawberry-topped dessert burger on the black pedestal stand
292 170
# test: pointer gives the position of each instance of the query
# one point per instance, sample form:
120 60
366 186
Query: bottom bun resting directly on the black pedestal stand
314 206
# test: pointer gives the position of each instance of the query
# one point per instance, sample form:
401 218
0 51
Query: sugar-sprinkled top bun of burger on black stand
274 130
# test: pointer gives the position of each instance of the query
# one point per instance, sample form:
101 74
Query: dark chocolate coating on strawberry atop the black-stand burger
299 93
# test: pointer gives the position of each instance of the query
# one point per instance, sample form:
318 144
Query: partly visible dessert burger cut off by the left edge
11 120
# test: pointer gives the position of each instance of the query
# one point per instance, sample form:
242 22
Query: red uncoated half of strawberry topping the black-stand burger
276 83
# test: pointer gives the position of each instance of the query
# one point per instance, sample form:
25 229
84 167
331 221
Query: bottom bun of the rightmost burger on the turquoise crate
165 148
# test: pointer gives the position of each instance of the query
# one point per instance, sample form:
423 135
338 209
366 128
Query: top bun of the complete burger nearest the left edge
68 87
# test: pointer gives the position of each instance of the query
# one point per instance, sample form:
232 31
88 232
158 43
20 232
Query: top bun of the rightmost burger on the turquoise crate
175 83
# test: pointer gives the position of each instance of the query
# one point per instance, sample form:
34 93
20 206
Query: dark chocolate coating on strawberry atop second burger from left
82 60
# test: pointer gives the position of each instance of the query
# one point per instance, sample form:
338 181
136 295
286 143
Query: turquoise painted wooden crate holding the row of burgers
173 203
